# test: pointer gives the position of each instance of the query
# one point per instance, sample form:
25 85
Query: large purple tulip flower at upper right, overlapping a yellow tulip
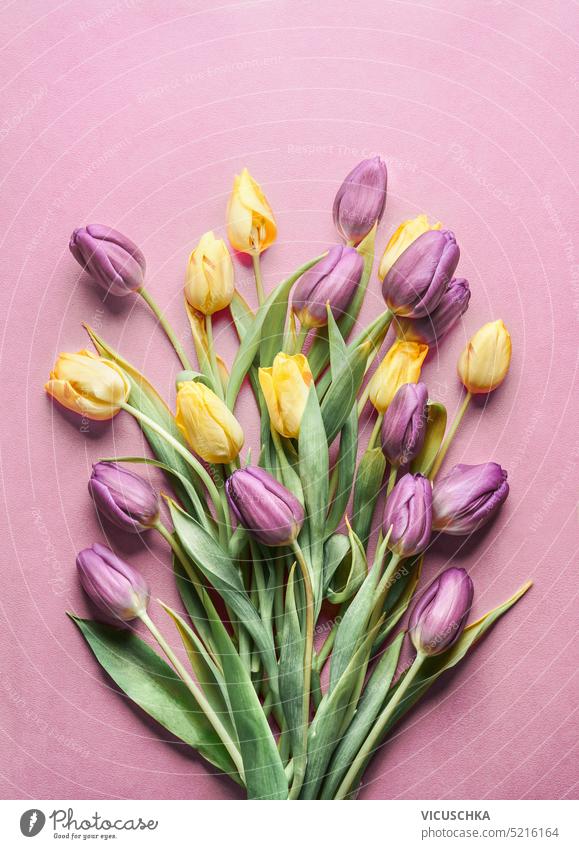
415 284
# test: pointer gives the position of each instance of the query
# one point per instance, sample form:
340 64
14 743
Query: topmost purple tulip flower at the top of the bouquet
360 200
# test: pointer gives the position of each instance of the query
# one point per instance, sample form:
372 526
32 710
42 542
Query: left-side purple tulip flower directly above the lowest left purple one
123 497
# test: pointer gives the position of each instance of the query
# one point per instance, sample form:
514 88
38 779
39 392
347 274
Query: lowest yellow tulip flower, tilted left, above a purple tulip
207 424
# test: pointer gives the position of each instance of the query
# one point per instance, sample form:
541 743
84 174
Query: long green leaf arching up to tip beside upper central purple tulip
252 338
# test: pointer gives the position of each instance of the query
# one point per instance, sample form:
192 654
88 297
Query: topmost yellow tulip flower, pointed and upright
251 226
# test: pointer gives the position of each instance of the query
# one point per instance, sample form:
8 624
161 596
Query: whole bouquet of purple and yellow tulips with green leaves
265 550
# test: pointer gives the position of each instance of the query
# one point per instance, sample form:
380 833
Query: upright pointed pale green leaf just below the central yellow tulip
313 468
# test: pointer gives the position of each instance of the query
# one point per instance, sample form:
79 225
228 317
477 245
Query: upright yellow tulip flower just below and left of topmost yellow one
209 281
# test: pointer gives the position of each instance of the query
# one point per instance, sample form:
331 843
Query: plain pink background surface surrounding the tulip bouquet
137 114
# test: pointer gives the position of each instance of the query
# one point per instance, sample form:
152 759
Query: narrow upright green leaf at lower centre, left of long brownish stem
291 669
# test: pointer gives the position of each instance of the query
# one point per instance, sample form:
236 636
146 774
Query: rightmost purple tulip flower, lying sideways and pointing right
468 497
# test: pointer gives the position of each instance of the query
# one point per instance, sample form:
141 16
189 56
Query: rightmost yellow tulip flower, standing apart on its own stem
484 363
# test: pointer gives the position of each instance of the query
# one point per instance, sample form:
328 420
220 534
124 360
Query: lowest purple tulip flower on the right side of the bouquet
440 614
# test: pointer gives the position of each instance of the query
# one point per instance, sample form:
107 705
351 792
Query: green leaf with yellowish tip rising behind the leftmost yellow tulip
146 399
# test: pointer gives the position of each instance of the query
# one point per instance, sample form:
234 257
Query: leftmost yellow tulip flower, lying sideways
88 385
